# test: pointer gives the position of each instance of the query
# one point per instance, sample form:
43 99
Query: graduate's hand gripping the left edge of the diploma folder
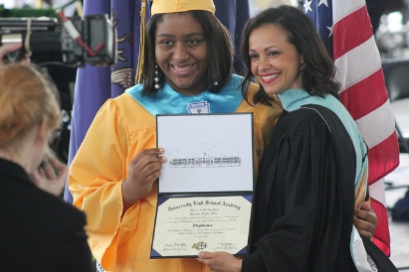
143 171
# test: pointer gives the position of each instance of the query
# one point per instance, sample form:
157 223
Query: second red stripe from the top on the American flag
370 93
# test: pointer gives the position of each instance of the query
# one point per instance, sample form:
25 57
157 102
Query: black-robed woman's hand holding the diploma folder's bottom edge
220 261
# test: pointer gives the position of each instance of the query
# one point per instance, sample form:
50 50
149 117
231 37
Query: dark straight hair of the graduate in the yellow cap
219 51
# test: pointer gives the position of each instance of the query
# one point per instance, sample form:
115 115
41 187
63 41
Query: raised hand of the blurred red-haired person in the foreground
51 175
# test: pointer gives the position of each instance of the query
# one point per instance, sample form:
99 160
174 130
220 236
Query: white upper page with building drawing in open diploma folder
206 152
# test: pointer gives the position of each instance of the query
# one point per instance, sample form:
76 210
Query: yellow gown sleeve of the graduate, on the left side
95 180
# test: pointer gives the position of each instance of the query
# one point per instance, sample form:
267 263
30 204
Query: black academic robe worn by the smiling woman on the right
304 197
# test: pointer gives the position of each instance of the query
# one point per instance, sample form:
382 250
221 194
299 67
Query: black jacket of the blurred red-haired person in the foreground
38 231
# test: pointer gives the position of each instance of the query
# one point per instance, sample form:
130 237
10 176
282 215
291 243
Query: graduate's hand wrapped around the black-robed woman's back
365 220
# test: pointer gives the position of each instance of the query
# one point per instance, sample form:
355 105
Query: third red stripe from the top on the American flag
383 158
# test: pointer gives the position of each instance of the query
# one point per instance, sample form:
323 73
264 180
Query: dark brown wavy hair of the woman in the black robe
318 74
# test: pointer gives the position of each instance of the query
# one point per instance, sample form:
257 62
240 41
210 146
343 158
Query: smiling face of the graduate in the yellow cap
181 53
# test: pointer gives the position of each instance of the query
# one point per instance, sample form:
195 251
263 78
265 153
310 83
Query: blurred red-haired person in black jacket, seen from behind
39 231
